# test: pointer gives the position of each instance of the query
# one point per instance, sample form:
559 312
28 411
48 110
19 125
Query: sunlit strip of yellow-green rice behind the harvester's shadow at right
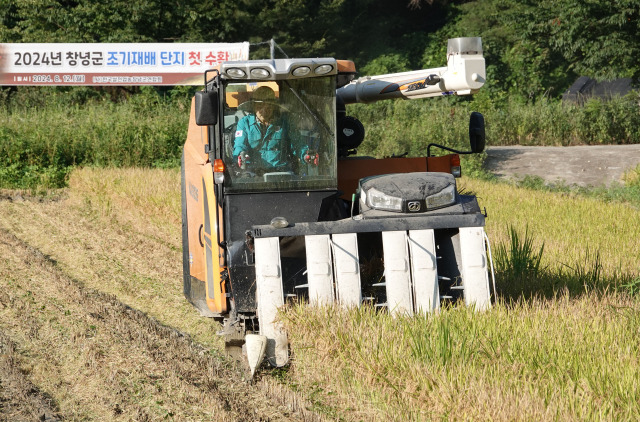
568 224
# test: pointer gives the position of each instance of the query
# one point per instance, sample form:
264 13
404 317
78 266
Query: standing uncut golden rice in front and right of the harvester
562 341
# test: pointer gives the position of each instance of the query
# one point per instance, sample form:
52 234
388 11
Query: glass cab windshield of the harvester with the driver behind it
280 135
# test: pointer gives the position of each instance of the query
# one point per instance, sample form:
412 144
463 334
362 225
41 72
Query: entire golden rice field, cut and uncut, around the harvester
560 343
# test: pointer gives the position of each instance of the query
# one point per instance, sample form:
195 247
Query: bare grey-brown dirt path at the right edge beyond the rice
595 165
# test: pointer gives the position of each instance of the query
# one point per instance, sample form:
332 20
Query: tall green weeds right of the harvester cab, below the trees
395 127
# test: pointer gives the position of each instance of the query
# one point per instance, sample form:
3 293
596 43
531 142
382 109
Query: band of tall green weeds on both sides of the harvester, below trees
45 131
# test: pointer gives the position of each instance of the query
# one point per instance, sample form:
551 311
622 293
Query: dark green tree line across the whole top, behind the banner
532 48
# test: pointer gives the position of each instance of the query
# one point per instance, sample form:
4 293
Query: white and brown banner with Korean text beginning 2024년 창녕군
113 64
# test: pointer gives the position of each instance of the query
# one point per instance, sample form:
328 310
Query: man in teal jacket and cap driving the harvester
264 141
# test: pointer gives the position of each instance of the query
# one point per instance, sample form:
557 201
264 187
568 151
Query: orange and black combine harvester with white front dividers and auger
322 226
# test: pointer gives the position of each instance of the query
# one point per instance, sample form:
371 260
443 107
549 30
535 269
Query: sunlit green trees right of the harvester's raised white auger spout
536 48
